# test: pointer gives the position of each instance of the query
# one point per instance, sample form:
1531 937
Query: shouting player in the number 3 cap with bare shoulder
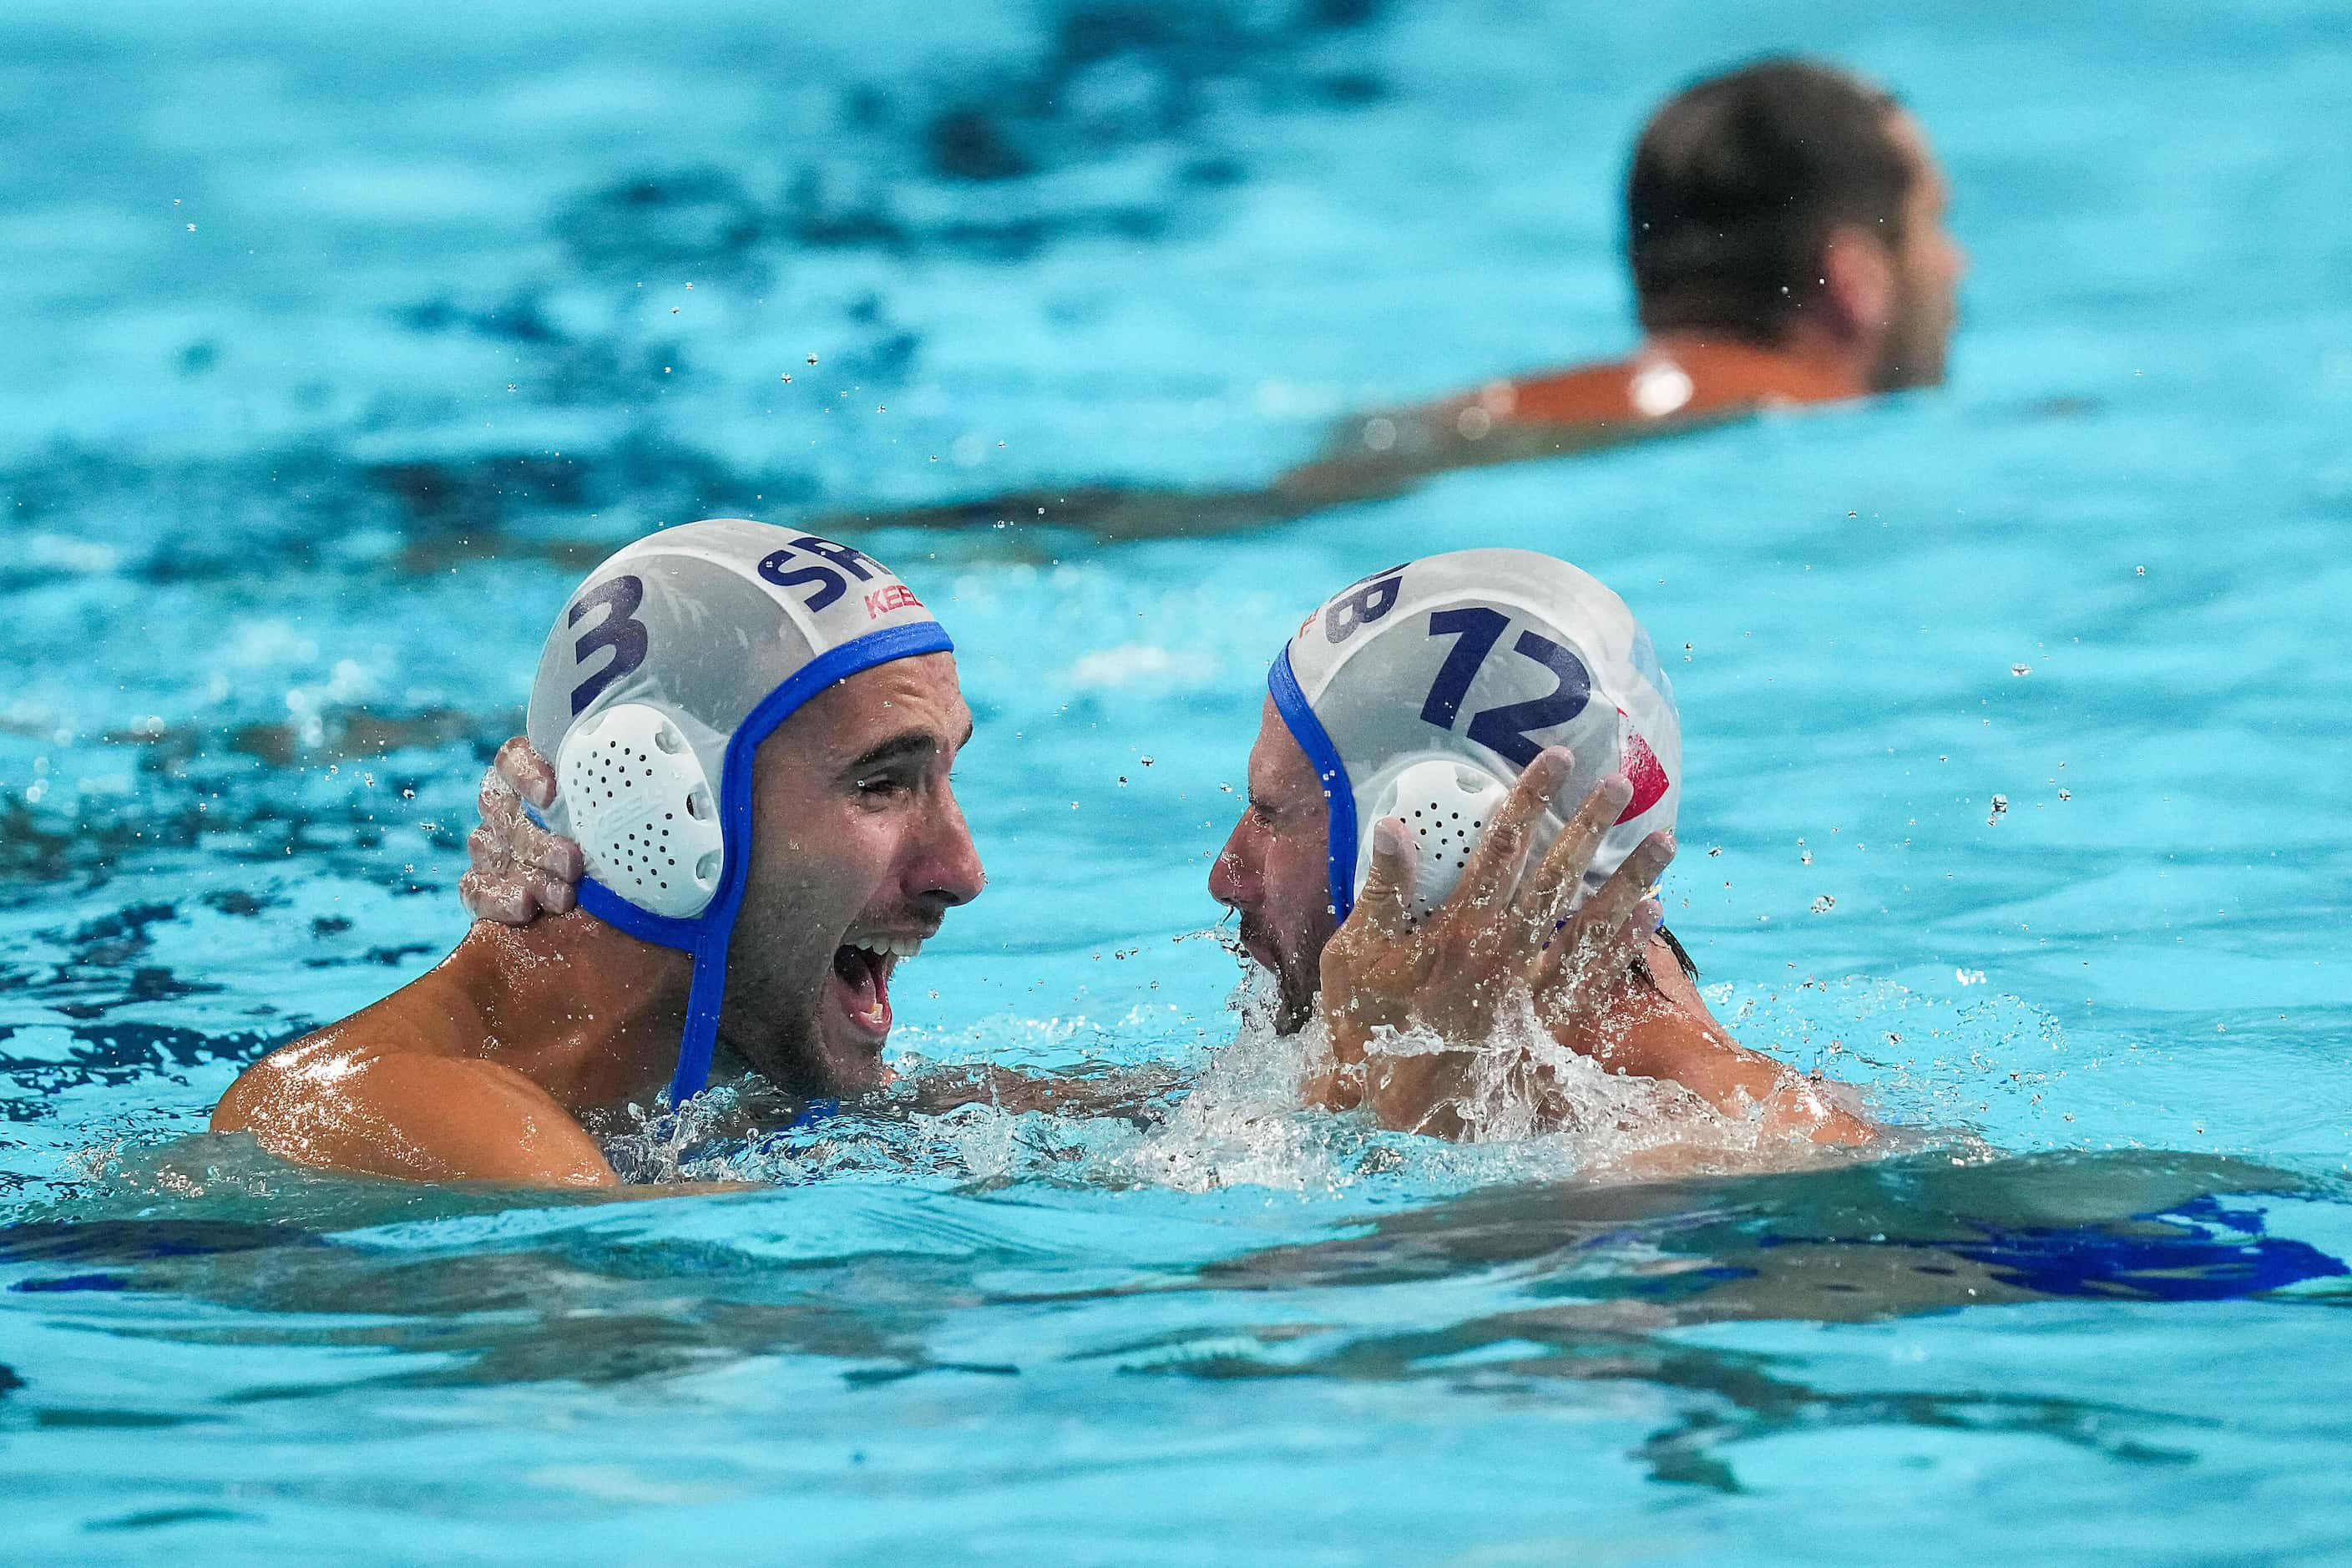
754 732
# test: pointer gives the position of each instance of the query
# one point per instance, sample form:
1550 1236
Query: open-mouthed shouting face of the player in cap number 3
857 855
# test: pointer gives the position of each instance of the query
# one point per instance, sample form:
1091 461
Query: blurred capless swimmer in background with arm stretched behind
1789 246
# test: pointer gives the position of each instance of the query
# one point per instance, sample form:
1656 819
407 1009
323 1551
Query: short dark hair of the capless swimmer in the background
1737 187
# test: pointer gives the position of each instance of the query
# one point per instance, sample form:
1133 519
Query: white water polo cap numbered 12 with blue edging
1424 692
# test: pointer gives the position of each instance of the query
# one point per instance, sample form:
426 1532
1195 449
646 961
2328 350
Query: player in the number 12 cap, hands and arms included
1459 803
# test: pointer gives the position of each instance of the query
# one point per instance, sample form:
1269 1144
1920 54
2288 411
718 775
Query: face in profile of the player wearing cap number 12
1274 869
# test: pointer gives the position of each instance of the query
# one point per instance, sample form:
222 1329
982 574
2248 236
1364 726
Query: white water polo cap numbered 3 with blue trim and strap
660 681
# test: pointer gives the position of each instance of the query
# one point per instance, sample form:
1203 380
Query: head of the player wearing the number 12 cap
1422 692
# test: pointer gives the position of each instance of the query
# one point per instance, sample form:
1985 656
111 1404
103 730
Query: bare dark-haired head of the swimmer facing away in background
1793 201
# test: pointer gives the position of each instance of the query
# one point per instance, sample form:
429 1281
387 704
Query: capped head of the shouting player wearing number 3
754 732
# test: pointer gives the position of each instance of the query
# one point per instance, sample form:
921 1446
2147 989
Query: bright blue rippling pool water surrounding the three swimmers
345 342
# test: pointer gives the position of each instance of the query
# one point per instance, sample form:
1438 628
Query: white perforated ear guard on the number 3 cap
643 810
